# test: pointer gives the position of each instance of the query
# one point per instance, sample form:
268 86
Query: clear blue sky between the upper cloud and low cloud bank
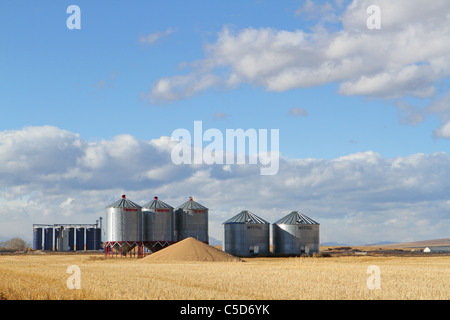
89 81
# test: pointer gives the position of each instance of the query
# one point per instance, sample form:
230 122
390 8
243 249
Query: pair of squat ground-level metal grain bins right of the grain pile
248 235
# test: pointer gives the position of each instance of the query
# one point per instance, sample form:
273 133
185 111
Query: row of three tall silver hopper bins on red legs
153 225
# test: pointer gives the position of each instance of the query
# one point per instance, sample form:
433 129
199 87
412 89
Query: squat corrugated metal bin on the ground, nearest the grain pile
246 235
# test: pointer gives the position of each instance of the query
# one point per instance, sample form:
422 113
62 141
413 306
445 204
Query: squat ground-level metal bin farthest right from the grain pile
295 234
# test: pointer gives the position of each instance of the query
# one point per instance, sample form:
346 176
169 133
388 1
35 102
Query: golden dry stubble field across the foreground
44 277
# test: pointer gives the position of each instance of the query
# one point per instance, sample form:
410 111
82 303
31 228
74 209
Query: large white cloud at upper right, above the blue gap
408 58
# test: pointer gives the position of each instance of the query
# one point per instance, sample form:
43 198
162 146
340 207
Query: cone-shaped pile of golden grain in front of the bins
190 249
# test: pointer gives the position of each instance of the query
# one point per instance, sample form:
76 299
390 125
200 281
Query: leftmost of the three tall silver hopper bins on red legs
123 225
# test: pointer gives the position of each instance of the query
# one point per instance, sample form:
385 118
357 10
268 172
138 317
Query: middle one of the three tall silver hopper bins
158 221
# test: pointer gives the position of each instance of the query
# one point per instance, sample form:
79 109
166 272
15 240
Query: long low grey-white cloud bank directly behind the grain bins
52 176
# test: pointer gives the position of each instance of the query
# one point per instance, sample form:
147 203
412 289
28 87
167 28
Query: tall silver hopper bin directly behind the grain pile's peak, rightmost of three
191 220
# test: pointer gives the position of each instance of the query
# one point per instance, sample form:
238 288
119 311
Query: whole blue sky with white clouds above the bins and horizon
363 113
